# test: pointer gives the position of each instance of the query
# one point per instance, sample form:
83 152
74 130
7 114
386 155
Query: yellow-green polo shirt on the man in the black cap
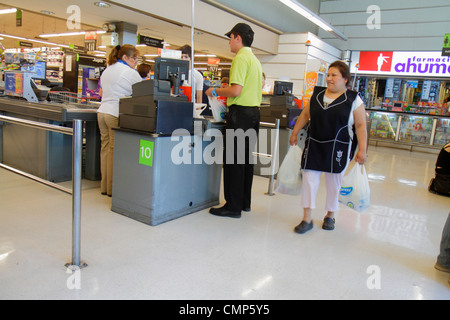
246 71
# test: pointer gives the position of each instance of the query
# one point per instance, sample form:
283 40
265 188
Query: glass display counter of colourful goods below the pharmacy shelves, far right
413 130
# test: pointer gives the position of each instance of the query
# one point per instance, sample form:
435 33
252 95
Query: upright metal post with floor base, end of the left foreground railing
76 193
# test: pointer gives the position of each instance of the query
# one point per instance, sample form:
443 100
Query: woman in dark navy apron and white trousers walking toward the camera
335 113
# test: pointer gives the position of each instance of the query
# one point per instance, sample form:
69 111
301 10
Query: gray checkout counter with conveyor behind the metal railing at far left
45 154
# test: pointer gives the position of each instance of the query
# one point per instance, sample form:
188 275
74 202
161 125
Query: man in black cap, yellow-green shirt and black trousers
244 96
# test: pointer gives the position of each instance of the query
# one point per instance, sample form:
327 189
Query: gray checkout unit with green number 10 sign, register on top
157 173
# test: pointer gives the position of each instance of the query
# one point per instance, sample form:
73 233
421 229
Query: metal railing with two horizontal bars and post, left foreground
77 143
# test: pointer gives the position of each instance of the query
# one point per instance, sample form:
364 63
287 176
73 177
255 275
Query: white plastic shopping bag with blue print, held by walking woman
355 190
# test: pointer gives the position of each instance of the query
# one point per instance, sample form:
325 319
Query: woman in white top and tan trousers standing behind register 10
116 80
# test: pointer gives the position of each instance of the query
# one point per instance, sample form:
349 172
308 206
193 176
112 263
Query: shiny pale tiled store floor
386 252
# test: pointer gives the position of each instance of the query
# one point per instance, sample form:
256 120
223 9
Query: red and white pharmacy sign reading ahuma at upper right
402 63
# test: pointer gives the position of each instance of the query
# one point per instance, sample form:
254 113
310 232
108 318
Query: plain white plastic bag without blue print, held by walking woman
289 178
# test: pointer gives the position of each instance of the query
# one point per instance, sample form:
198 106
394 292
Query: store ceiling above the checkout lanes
34 22
